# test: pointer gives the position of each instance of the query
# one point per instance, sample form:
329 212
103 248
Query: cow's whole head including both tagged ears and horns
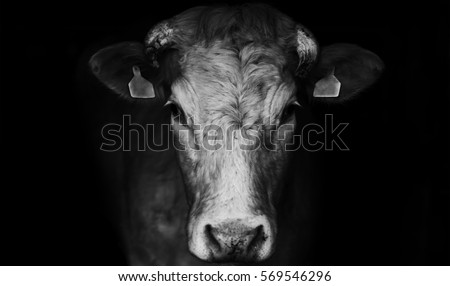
231 76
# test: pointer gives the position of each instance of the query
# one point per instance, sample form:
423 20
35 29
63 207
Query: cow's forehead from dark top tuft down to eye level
234 60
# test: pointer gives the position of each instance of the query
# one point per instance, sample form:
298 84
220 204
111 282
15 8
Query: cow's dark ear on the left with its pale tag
125 69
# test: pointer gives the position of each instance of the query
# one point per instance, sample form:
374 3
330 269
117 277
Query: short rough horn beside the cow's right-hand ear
307 50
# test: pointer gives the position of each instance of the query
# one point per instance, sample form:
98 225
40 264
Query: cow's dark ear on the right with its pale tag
342 71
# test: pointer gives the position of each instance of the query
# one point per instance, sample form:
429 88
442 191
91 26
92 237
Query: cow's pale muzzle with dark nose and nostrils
231 238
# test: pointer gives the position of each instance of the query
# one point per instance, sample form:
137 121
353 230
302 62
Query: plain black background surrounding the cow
386 202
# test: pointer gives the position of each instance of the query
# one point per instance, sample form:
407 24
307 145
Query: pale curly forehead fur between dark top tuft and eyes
223 86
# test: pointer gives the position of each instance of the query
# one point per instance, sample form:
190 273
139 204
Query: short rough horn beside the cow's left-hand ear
160 36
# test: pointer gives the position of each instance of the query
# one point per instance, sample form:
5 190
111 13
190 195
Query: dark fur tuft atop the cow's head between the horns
235 25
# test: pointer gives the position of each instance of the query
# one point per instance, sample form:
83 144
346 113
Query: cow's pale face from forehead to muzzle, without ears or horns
233 111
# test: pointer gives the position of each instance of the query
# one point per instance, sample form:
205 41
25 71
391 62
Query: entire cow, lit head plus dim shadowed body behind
245 68
